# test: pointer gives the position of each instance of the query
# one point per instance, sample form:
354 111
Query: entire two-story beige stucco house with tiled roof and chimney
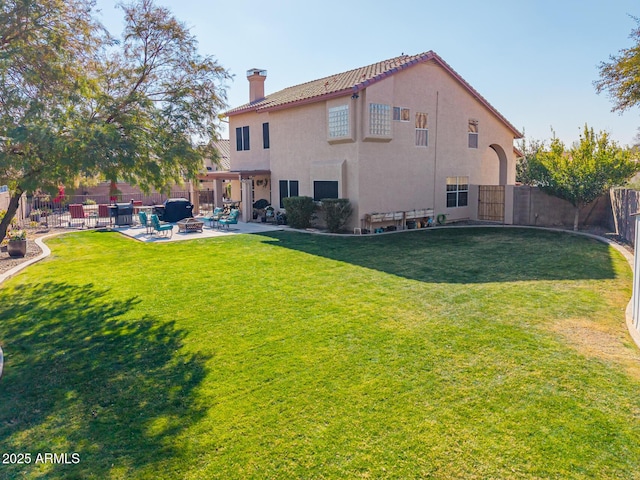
402 134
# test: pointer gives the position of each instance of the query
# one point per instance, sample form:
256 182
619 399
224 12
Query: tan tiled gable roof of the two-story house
351 82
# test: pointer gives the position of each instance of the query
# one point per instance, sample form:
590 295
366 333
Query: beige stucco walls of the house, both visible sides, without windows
383 174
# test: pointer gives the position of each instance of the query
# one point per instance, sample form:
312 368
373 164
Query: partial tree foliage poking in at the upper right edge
621 76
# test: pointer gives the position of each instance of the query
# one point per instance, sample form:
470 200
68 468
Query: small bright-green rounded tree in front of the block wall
584 172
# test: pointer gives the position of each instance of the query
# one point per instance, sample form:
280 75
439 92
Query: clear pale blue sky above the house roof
535 61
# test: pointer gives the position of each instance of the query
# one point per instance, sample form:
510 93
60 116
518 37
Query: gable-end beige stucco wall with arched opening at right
400 176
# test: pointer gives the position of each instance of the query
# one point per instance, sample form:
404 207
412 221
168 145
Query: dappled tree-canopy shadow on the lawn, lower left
80 379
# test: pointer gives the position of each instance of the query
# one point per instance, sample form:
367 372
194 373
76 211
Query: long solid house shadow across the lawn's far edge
464 255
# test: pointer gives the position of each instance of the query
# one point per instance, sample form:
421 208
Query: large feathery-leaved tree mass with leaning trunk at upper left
81 104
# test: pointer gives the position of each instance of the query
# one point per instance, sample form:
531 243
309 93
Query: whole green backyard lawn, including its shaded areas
453 353
